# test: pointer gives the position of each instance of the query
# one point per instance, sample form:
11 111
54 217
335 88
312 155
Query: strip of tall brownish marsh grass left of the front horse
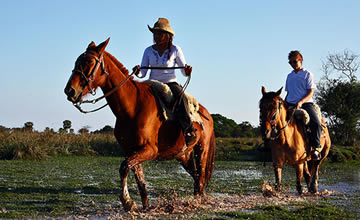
38 146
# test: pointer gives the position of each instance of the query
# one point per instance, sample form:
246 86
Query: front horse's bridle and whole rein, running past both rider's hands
100 63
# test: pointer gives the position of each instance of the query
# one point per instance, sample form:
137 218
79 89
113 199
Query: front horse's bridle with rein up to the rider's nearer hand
90 78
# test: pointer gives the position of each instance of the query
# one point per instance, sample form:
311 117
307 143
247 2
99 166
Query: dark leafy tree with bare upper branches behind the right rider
339 98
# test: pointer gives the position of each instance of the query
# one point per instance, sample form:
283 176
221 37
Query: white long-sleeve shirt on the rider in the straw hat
152 58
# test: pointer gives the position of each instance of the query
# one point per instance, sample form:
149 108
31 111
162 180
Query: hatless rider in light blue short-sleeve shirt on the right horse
300 86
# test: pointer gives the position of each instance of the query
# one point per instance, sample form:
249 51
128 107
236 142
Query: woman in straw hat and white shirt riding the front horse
166 54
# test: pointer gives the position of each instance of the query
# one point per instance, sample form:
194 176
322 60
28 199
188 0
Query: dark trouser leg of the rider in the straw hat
181 110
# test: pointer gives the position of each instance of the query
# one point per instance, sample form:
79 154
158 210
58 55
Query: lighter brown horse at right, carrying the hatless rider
289 142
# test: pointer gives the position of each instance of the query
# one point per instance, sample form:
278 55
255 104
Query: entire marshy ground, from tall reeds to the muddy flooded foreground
64 175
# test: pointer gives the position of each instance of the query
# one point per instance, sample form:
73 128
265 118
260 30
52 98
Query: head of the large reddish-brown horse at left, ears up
88 73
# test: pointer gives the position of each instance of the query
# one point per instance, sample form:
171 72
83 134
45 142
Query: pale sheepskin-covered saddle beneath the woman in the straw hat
166 101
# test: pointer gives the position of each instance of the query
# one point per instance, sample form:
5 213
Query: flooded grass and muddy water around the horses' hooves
78 187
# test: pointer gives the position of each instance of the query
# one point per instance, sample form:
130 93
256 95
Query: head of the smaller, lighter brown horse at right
270 105
